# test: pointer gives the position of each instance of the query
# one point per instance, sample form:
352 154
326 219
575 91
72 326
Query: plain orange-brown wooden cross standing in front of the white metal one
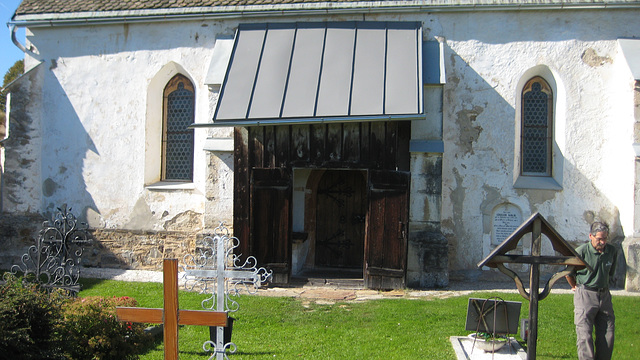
171 316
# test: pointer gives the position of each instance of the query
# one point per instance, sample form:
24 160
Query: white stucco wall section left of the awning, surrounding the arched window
95 109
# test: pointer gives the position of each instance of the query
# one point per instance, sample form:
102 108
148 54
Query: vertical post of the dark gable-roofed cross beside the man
534 289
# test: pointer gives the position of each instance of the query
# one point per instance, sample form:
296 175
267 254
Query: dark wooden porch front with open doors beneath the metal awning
368 231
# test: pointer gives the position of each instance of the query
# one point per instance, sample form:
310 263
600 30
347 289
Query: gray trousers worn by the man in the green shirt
592 308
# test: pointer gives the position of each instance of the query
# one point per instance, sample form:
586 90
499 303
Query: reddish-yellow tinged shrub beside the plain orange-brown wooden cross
92 331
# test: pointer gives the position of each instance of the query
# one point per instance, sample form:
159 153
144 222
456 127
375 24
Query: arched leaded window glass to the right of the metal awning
537 117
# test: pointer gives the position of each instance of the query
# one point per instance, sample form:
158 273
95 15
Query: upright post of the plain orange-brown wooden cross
170 278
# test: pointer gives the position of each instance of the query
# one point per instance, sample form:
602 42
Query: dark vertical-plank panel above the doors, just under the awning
376 145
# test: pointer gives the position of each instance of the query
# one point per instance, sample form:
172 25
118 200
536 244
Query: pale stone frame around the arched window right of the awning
553 179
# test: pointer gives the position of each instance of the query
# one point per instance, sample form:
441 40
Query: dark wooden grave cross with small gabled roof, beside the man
536 225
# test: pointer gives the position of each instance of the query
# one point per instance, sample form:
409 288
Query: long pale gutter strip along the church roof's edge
297 9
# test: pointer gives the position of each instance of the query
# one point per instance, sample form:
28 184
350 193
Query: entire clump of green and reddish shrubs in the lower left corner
36 324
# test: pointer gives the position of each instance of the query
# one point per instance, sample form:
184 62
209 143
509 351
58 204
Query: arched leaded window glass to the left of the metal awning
177 138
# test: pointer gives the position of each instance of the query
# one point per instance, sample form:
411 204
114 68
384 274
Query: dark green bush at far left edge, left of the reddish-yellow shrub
29 320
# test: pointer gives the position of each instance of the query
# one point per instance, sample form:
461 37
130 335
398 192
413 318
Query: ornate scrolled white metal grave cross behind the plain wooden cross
215 269
